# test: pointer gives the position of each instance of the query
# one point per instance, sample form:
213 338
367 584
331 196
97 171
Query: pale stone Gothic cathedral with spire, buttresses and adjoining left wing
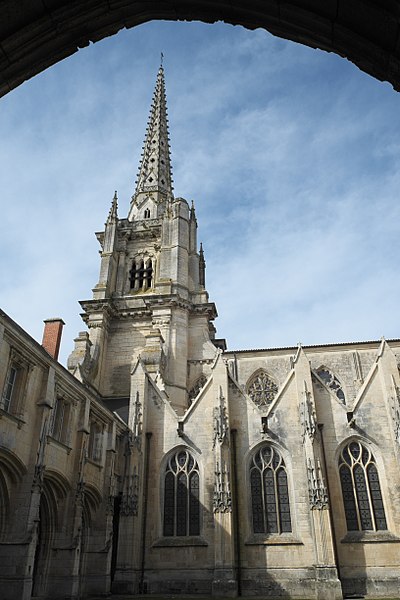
159 462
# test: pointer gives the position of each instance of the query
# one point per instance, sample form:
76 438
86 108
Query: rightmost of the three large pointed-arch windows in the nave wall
361 491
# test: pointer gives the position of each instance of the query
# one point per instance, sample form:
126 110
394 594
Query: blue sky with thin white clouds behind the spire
290 154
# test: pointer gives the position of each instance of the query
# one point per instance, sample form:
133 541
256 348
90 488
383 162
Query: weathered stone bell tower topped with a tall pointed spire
150 303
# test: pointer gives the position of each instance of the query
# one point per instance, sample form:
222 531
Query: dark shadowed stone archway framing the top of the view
37 34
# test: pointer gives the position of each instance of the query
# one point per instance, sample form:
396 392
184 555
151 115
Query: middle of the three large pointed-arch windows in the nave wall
269 492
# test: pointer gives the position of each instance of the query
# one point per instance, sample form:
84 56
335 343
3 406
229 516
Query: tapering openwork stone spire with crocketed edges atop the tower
155 176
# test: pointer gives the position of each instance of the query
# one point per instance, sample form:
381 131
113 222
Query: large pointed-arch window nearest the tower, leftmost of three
181 495
